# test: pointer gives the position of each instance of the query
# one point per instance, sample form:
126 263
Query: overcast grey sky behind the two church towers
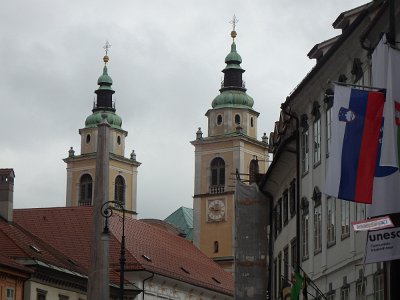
165 61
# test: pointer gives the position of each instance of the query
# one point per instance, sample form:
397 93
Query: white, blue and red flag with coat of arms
356 124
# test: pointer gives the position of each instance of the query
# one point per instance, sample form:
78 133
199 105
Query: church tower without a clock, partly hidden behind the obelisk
81 169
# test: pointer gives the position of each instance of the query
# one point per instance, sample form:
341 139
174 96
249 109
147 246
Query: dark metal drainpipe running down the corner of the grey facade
296 118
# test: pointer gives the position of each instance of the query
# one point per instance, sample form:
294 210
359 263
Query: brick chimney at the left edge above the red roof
6 193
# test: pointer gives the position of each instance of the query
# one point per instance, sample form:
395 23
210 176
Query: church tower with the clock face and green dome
231 145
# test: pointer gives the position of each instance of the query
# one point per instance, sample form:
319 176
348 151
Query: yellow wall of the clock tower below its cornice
237 153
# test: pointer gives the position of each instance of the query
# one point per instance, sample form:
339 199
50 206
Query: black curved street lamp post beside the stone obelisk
107 211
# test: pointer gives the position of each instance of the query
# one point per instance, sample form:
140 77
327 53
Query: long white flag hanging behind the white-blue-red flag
386 74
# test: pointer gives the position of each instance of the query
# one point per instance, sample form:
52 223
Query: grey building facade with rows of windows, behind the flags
311 230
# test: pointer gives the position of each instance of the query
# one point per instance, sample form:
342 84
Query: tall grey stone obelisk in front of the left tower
98 279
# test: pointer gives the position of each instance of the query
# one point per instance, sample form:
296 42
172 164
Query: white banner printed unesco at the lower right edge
383 245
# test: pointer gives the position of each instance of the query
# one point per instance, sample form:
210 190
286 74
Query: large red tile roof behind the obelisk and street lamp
67 229
